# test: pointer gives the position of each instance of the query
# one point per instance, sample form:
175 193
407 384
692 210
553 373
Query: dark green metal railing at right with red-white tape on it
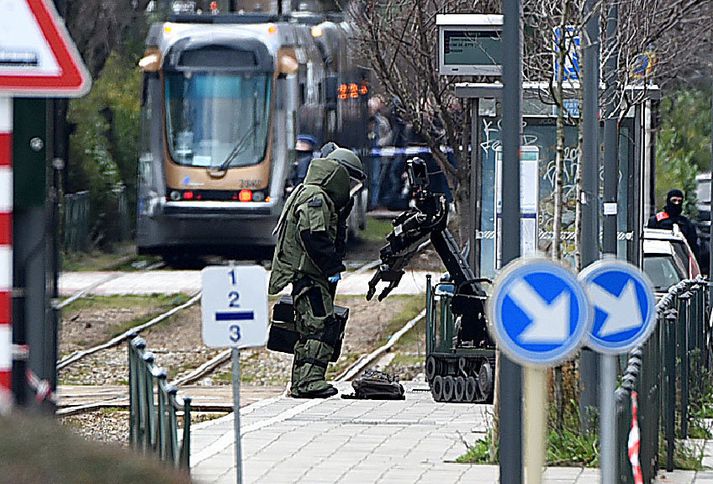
662 376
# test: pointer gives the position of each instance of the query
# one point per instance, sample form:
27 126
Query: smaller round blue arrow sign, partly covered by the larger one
624 306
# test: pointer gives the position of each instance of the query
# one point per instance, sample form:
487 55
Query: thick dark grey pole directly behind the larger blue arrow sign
511 373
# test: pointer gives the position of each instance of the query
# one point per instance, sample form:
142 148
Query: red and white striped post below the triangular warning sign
5 253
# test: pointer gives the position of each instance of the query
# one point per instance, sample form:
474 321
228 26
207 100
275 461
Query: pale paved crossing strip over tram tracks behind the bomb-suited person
188 282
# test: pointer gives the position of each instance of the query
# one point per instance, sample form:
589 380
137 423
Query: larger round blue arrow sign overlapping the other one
538 312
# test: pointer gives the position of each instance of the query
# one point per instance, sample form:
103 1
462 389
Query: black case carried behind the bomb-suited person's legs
284 334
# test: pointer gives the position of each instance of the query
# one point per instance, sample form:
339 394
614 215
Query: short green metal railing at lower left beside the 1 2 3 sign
155 410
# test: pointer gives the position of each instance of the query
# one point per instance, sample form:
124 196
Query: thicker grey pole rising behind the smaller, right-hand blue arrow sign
590 194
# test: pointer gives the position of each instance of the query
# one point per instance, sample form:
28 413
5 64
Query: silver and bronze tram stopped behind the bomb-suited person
224 98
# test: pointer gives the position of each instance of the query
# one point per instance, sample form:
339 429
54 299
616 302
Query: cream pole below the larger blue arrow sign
535 419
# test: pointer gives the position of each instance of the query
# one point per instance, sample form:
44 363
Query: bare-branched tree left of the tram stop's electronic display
397 40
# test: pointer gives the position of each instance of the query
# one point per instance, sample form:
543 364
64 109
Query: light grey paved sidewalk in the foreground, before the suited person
338 440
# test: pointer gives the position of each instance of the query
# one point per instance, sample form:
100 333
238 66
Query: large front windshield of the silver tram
217 120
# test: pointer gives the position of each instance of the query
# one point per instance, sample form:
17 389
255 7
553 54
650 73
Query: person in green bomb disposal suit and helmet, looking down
311 243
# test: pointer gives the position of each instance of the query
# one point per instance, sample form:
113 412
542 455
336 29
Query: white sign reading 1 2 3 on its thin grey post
234 313
